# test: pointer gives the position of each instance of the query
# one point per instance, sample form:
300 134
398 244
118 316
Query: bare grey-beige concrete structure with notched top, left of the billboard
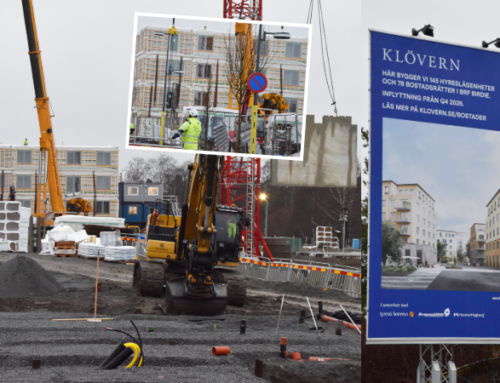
329 158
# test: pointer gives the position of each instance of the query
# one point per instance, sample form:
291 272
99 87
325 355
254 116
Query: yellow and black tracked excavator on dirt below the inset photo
195 255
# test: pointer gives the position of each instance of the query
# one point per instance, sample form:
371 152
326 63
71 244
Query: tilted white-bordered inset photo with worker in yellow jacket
231 87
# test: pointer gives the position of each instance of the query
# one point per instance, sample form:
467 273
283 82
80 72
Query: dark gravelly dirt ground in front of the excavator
179 348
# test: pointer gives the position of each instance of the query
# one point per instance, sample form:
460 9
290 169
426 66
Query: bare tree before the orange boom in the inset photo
240 54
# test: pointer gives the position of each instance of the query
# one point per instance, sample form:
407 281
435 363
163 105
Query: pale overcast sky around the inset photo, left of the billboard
87 49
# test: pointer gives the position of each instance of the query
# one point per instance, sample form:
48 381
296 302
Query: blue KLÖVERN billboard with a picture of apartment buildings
433 174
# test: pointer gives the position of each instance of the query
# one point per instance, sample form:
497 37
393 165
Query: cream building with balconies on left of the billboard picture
411 211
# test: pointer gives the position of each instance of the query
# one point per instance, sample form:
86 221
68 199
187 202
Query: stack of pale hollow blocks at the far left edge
14 226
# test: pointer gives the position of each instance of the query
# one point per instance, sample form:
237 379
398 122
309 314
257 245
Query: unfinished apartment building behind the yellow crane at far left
77 167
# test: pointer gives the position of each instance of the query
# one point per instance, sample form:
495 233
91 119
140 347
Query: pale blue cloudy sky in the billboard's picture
457 166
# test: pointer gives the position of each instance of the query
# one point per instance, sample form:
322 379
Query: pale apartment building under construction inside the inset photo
200 55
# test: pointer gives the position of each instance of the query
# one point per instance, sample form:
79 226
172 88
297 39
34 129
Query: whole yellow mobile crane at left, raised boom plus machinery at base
48 158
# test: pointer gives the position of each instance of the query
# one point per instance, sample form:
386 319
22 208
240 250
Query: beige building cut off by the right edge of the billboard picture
492 228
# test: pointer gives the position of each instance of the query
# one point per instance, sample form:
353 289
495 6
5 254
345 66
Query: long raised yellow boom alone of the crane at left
47 143
